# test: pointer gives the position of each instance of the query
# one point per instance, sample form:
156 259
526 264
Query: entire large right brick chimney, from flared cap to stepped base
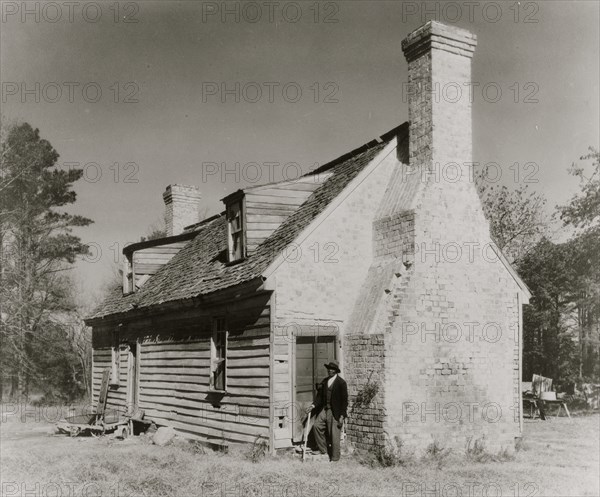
446 352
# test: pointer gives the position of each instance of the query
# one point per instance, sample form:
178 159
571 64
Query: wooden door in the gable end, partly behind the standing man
312 353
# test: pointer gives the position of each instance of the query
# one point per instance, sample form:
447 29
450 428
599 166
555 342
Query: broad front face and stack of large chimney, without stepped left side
445 382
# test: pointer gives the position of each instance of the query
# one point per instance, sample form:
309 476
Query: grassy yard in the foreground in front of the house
557 458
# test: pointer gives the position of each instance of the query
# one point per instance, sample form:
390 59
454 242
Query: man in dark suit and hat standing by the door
330 408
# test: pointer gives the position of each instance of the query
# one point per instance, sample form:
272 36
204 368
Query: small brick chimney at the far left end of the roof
182 207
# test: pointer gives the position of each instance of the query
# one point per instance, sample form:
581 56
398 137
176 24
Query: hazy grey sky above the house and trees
145 94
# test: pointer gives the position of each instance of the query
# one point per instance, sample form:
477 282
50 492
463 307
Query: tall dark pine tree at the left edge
36 247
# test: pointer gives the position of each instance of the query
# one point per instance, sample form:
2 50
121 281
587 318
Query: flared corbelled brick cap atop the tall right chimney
440 36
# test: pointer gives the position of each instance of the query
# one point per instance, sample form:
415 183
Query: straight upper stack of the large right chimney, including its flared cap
439 103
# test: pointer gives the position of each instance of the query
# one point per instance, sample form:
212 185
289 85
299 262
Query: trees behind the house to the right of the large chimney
561 324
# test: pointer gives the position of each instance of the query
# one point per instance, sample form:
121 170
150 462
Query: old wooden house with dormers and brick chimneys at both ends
381 259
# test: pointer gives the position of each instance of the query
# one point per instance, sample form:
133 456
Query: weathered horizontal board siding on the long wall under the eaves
174 371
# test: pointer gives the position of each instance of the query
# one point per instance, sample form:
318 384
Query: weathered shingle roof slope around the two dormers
200 267
